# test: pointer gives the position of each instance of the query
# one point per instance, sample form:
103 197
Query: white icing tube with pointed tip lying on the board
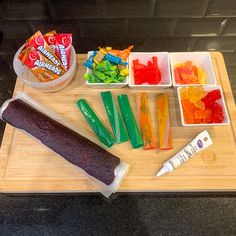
202 141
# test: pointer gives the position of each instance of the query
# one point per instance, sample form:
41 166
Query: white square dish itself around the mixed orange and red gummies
220 101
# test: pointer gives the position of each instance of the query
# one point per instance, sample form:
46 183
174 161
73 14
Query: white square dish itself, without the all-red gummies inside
163 64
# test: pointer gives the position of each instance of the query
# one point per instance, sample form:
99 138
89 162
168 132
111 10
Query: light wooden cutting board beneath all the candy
28 166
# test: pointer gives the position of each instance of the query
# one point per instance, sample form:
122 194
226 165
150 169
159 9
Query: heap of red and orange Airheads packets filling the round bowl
47 53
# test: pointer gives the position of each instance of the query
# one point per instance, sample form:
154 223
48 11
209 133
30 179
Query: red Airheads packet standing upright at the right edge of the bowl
63 48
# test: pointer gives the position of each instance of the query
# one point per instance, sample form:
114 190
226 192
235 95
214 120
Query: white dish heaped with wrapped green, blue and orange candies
107 68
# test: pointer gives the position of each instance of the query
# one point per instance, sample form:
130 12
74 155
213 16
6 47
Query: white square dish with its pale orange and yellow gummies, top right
192 69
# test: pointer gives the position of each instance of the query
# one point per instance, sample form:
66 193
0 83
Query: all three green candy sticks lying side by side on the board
118 127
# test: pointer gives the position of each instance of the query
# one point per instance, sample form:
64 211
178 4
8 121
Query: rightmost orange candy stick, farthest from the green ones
163 121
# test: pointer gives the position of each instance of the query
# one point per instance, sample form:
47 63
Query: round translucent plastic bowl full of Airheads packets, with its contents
46 62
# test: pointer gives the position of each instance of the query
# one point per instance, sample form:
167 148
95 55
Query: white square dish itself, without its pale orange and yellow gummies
200 59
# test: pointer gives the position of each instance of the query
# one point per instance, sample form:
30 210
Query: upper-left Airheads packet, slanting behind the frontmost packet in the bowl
38 42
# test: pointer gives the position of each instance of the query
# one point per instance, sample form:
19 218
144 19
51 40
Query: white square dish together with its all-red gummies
149 70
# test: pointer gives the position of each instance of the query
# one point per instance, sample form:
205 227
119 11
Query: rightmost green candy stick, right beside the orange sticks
130 122
